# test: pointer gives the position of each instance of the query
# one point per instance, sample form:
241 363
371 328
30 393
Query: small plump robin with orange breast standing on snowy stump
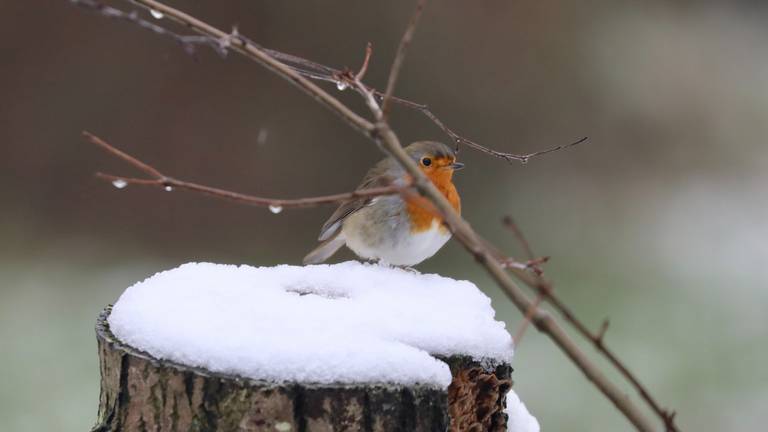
397 230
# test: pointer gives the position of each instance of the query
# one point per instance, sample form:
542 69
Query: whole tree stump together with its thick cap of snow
344 347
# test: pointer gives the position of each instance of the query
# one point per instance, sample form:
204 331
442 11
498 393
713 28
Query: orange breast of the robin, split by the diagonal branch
422 212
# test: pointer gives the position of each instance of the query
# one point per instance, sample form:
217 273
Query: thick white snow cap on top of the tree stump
340 323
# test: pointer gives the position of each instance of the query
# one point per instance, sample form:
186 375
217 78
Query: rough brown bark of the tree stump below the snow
142 393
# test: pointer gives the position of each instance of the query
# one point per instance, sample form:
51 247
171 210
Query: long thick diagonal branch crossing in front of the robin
381 132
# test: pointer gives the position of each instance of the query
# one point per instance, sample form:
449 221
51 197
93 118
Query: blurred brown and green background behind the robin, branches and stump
660 222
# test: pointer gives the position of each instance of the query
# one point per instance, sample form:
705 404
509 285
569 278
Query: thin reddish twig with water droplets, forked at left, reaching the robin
275 205
